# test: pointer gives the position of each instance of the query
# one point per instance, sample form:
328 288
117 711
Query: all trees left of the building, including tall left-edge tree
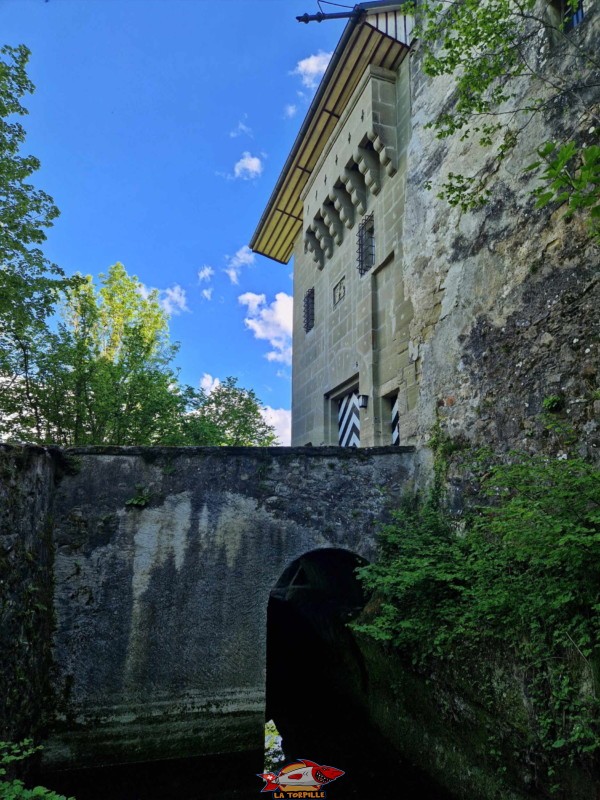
103 374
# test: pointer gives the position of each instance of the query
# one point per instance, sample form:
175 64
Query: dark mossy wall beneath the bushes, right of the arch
474 737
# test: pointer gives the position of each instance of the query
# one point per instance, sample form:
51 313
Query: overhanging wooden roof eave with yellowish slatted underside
377 34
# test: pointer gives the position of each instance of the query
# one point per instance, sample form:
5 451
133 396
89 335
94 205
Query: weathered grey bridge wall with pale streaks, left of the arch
165 559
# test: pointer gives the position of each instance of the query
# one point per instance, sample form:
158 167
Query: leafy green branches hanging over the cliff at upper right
489 48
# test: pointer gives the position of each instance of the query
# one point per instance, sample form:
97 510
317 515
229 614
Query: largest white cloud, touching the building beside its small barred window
271 322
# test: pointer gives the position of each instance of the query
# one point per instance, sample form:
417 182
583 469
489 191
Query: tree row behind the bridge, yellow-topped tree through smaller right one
105 376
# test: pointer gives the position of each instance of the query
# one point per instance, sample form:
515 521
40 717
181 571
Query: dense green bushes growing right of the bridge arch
520 576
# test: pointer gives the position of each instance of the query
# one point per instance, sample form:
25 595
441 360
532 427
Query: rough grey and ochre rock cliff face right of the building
505 298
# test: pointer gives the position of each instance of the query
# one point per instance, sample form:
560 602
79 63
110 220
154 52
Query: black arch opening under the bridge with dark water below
322 691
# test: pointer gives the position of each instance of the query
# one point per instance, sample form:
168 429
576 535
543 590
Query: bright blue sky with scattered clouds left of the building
162 126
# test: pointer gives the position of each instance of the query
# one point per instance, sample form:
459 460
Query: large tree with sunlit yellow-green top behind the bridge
102 377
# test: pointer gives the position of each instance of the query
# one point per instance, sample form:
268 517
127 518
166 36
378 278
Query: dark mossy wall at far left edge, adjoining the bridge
27 477
